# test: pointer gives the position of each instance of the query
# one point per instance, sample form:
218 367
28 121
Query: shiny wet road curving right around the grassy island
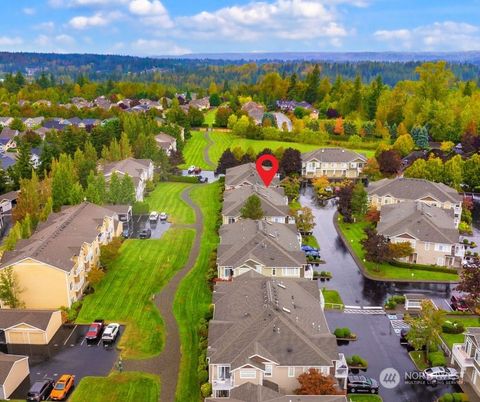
354 288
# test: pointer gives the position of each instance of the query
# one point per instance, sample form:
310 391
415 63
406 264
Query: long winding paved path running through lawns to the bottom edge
167 364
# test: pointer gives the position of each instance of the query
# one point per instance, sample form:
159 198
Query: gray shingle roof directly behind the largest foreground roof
271 244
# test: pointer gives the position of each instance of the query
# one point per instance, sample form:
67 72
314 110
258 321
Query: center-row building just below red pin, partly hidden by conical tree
273 201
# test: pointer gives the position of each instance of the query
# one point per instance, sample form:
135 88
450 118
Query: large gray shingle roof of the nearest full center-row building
250 320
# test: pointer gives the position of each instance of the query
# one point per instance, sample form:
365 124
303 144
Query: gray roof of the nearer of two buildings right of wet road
424 222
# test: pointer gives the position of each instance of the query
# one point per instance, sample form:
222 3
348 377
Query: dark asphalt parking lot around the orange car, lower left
68 353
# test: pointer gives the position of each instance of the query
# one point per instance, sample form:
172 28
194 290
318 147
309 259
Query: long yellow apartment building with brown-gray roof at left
53 264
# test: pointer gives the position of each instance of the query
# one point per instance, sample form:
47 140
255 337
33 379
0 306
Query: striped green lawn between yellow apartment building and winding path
124 295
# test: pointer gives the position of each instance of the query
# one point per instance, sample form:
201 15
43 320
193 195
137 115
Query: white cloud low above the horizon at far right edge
444 36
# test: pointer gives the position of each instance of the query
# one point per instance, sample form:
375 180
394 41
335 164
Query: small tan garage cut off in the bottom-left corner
13 370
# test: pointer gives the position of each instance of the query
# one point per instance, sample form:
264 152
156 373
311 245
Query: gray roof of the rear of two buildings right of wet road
413 189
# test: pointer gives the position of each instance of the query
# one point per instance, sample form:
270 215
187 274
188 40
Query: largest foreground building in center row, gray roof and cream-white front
267 331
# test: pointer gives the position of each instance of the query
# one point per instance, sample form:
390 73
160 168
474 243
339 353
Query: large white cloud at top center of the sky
283 19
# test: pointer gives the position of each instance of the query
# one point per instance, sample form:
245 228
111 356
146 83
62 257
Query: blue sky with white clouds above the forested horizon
174 27
